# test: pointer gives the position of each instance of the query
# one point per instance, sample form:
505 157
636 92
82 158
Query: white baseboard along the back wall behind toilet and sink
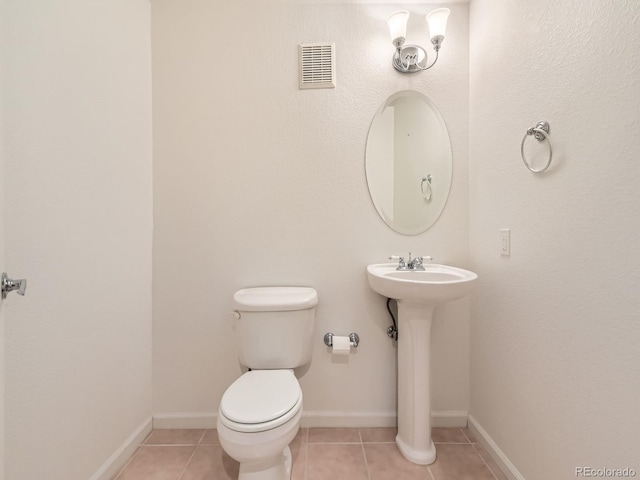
313 419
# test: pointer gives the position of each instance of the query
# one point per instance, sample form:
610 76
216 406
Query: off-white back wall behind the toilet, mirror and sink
259 183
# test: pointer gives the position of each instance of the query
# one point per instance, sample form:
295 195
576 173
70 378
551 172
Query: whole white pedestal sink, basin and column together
417 294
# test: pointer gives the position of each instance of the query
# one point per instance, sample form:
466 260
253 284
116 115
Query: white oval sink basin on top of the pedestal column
434 285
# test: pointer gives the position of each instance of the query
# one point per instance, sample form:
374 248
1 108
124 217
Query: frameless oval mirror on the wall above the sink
408 162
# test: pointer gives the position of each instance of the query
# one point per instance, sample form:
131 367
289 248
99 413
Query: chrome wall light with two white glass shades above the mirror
413 58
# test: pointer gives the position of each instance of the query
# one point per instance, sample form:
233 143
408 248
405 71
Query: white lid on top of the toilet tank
275 298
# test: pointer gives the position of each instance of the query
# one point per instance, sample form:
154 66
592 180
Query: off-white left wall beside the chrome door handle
77 112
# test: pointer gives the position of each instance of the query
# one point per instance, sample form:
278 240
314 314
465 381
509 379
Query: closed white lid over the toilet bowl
260 396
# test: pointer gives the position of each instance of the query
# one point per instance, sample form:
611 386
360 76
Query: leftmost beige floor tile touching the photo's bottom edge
157 463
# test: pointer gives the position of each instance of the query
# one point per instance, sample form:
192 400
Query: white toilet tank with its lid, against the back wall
274 326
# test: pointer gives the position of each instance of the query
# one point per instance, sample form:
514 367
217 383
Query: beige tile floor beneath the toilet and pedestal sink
318 454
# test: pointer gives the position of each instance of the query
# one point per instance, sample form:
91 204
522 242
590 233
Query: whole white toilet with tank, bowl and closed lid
259 414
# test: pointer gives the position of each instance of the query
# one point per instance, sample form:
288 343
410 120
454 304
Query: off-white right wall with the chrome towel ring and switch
555 332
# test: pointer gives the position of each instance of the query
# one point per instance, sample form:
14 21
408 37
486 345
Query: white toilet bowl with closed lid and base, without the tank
257 433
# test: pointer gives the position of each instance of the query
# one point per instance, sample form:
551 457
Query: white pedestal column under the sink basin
414 400
